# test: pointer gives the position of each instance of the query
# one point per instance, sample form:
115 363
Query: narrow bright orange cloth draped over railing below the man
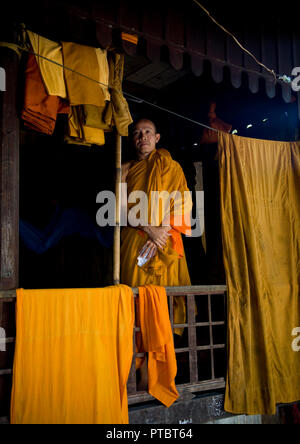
157 340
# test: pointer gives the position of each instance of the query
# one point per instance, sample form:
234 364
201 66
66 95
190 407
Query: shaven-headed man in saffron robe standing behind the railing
160 239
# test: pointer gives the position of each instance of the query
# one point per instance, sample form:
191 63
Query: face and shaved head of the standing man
145 138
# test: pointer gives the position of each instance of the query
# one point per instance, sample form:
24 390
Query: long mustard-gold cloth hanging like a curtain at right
260 209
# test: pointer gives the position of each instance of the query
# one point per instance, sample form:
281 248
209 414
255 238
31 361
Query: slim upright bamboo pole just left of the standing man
117 232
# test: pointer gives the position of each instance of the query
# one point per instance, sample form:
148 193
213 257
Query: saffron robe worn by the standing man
159 172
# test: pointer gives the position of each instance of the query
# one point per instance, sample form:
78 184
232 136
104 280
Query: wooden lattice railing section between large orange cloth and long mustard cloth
201 350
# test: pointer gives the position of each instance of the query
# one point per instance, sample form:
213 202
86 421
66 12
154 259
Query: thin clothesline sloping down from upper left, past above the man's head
138 99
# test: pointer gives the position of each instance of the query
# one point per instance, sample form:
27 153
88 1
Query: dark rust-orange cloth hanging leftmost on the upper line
40 110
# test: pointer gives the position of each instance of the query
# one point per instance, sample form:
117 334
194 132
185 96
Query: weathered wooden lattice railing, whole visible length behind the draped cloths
200 351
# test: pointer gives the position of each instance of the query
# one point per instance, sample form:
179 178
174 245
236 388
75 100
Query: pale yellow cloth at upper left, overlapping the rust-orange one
52 74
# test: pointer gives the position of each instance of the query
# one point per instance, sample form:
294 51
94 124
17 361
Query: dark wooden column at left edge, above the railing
9 173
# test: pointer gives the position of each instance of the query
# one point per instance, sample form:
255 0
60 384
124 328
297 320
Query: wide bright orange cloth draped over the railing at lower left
73 355
